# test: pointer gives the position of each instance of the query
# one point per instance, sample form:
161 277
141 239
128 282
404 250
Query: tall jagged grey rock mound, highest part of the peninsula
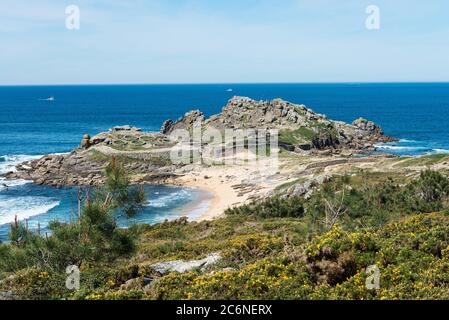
299 127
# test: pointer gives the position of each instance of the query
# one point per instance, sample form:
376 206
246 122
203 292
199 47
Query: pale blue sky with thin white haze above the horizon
199 41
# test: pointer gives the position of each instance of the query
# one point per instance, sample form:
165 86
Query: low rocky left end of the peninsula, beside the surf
143 154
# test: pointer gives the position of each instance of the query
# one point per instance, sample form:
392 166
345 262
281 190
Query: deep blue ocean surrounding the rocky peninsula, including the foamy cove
32 125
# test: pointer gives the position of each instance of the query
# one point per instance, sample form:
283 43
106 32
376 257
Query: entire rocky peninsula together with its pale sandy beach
310 142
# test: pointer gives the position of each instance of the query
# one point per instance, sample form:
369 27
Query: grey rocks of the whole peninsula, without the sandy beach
146 155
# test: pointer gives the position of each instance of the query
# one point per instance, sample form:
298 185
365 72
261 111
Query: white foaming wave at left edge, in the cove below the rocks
24 207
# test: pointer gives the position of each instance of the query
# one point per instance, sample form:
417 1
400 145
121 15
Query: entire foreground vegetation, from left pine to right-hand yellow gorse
279 248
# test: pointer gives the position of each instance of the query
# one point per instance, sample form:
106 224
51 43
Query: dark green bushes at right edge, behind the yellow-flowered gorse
374 205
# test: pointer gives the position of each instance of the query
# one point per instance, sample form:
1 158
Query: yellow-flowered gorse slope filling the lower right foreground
412 255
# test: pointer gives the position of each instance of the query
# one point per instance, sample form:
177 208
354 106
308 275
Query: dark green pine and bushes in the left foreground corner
39 262
